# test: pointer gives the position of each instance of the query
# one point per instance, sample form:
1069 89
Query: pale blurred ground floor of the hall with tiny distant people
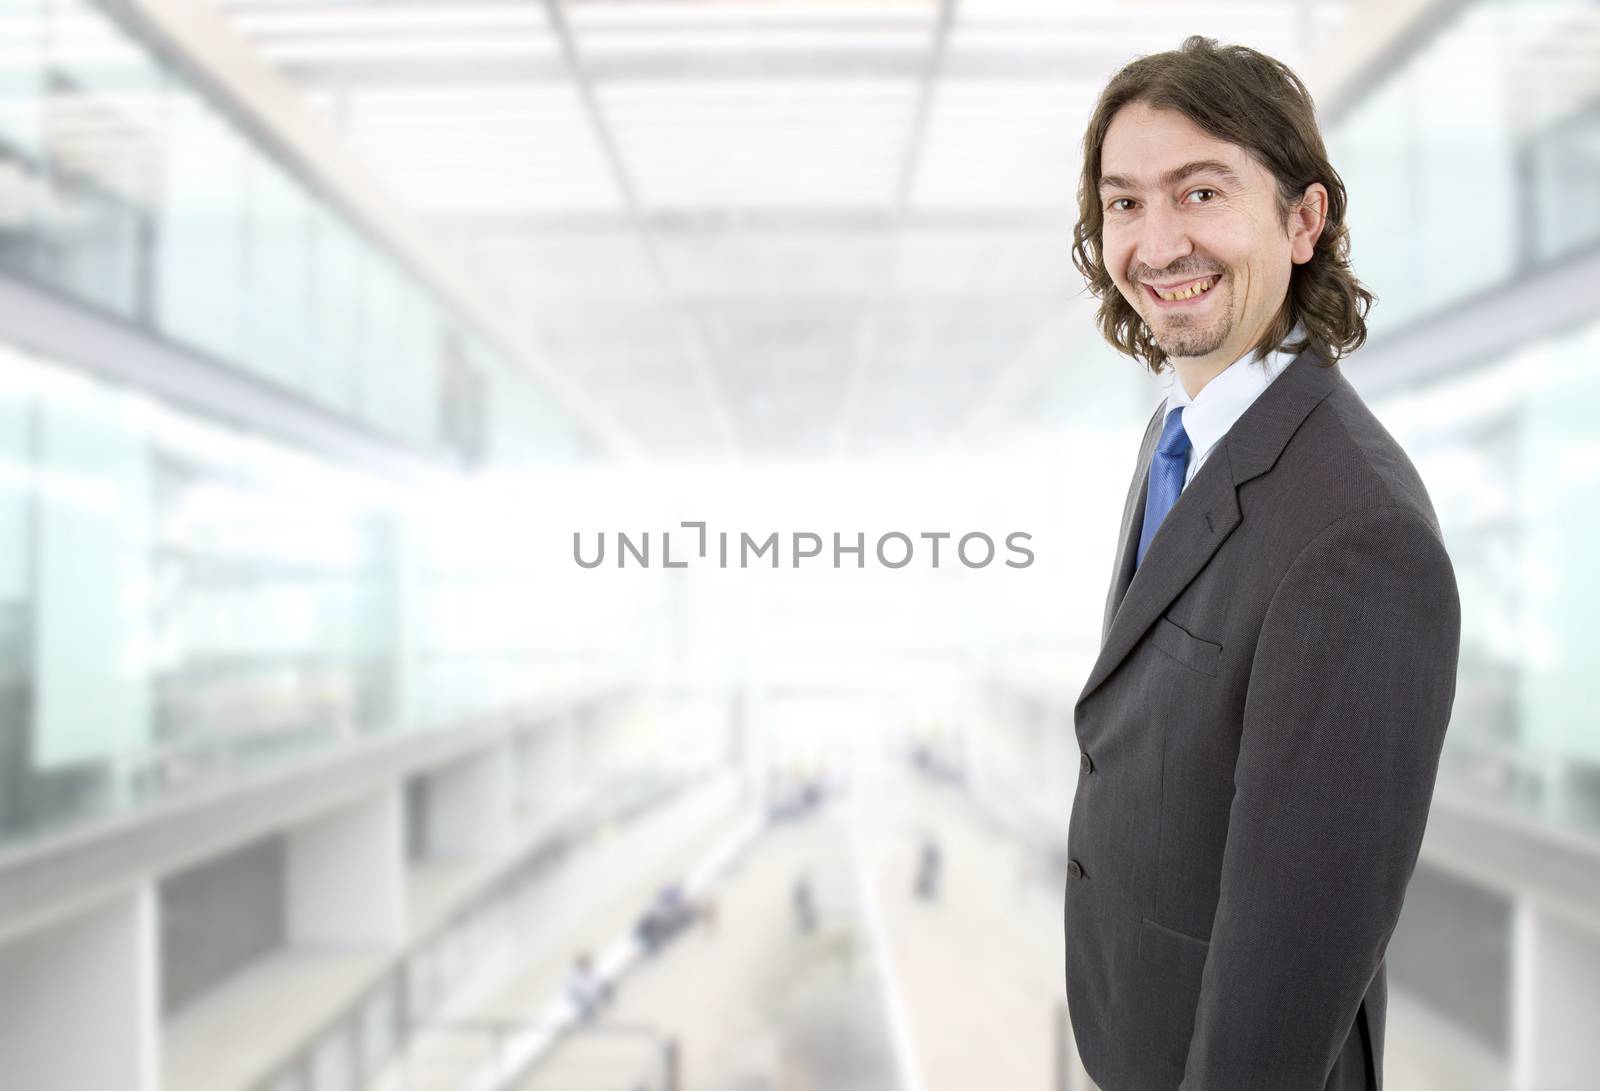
889 991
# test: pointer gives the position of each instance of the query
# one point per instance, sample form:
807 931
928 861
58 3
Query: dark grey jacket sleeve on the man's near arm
1350 697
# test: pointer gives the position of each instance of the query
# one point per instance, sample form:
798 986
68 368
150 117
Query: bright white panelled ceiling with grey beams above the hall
758 230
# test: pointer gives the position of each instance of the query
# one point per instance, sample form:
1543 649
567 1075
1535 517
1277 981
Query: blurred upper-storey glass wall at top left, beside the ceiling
127 190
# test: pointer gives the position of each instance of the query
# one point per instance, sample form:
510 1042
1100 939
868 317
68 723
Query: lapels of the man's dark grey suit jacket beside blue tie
1206 513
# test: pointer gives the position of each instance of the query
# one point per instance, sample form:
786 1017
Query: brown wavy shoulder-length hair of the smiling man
1257 103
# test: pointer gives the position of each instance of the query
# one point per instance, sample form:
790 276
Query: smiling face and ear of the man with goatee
1193 236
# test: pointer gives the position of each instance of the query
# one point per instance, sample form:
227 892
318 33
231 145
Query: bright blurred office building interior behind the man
327 327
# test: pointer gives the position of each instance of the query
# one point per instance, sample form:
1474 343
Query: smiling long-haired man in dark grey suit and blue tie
1262 732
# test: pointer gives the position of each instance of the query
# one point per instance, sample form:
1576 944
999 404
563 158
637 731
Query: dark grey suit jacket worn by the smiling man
1260 740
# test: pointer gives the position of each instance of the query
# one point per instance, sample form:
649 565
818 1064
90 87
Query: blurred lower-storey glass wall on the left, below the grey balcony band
182 601
